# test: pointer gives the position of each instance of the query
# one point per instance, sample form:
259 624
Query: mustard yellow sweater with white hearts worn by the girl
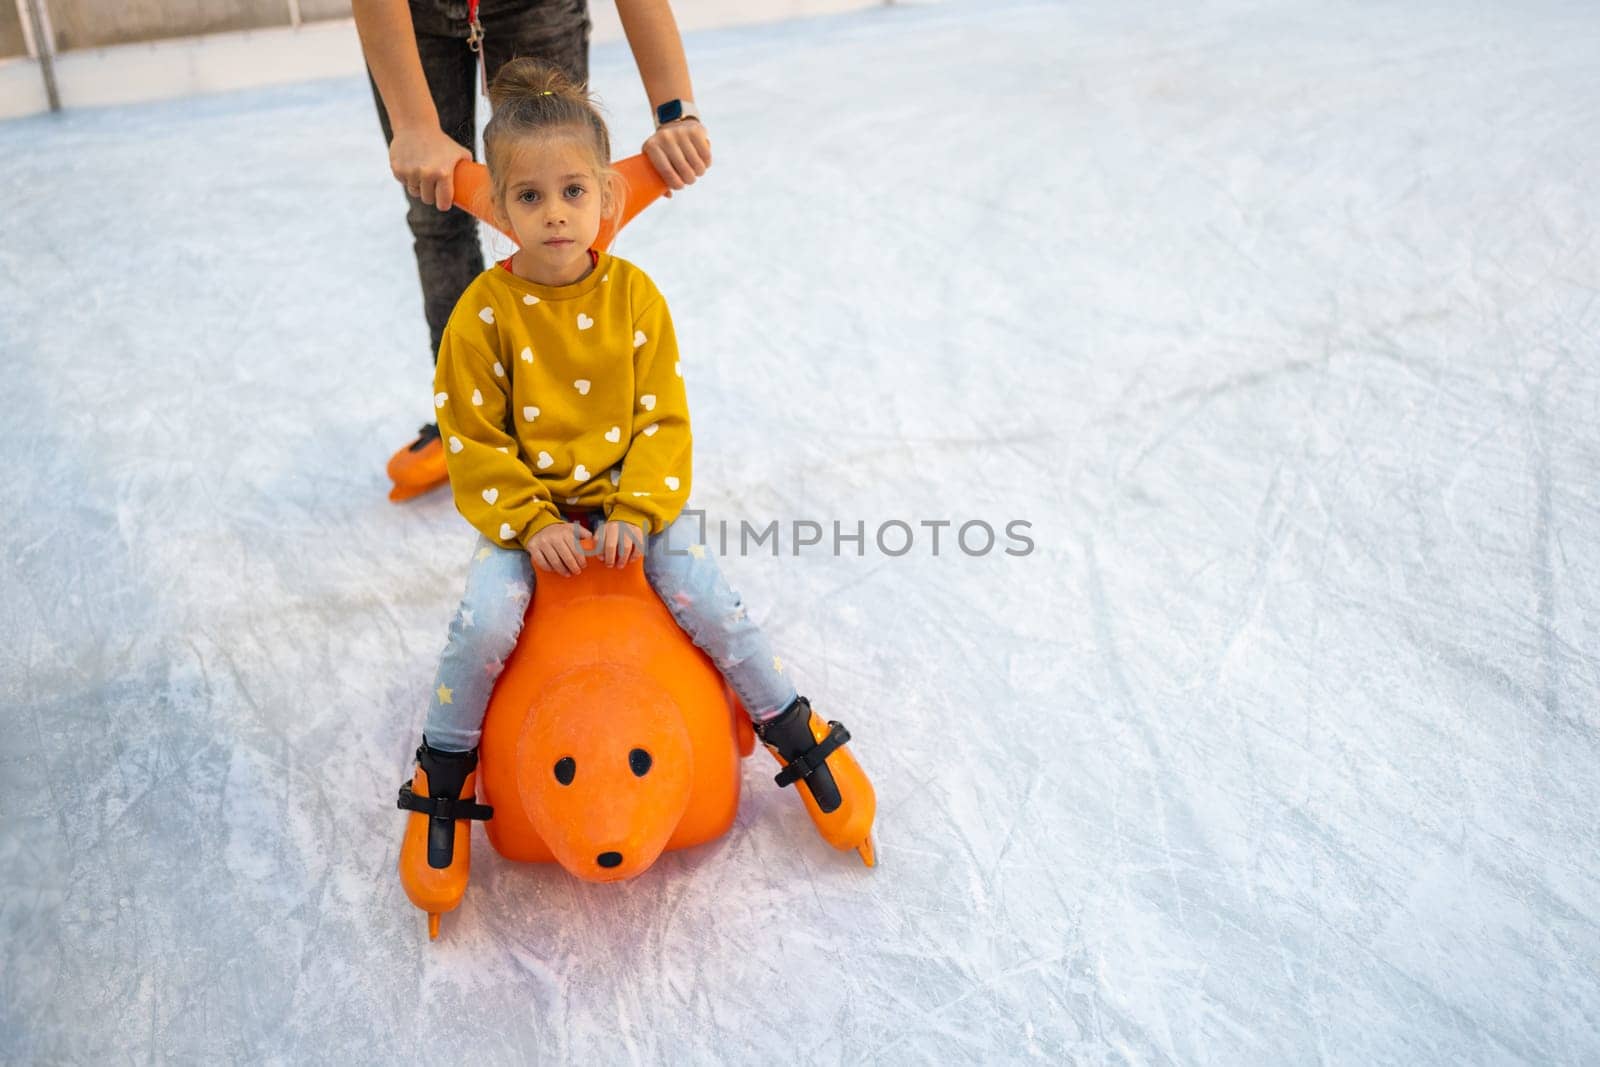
569 396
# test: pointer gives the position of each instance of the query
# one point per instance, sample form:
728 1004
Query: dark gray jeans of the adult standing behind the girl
558 31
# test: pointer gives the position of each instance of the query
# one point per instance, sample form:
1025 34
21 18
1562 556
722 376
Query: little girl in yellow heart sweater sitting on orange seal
561 404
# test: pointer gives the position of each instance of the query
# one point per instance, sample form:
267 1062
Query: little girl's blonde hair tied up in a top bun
535 100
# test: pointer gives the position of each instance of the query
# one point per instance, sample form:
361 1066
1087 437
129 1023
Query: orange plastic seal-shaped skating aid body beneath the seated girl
610 737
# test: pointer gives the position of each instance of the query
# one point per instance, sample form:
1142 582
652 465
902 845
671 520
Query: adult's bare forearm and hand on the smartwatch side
681 151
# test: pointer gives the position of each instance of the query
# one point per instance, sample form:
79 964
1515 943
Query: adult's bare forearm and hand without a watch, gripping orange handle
422 156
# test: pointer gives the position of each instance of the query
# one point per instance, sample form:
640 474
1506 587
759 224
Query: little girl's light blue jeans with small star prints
690 585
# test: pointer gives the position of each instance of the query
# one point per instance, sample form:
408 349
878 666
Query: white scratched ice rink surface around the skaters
1276 321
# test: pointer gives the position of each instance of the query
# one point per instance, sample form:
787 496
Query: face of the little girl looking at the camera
553 206
